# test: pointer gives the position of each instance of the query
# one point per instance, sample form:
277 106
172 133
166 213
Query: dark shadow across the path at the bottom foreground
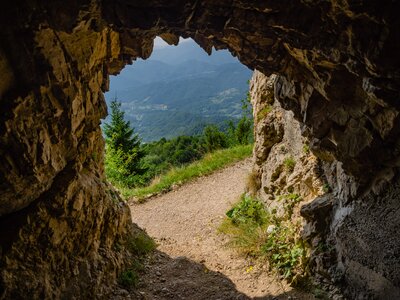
181 278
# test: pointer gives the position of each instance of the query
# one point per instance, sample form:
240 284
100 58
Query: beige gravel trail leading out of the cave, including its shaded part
192 261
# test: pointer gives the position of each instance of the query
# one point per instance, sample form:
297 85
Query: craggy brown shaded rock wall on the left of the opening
60 221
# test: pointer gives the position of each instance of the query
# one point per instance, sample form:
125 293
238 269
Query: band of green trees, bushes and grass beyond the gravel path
131 165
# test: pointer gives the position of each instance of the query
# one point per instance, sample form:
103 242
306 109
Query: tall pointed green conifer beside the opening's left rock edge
123 160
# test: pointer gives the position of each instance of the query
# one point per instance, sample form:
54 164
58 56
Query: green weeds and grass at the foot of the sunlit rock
260 233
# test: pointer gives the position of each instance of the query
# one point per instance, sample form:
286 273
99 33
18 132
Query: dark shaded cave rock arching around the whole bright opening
338 72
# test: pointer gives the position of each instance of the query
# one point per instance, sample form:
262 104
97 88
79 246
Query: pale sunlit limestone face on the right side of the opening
283 161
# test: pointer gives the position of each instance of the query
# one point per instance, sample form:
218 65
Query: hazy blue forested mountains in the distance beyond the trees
179 90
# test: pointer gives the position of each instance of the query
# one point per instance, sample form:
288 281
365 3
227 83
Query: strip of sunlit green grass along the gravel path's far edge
178 176
